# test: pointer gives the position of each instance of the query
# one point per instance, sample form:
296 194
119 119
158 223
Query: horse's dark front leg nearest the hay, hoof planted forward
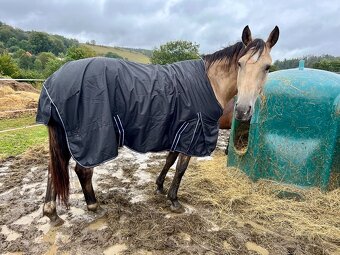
182 165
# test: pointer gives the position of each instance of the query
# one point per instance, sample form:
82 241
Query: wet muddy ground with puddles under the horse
136 221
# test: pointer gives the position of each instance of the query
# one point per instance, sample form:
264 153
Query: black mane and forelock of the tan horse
231 54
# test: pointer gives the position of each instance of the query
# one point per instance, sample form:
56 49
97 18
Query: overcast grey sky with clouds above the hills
306 27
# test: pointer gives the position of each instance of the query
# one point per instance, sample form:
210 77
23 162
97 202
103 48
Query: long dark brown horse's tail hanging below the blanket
59 158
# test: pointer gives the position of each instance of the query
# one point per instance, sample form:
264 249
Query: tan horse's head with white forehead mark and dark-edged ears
253 66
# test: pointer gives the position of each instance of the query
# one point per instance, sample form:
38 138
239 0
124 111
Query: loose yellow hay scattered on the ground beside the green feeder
235 198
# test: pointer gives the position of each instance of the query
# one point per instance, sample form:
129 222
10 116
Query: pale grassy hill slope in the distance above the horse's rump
124 53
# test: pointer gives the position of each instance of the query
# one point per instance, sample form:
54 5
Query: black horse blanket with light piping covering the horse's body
106 103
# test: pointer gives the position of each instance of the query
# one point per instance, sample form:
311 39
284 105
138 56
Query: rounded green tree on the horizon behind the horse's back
175 51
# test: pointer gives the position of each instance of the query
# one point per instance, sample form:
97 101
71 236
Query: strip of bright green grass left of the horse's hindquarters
16 142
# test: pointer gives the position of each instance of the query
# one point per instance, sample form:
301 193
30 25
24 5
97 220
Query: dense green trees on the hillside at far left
32 54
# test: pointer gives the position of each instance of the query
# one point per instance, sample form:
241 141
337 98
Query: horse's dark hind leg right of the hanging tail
85 179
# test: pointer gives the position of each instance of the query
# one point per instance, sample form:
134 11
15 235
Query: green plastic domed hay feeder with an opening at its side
294 134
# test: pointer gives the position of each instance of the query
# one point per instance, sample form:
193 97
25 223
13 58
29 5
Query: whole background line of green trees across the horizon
32 54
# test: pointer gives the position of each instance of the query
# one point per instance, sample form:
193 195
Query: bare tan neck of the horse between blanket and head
223 82
